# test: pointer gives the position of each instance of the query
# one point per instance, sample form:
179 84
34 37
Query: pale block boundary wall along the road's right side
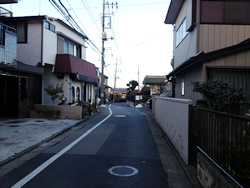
173 116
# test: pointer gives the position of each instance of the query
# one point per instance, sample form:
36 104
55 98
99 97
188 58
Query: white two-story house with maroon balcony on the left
60 50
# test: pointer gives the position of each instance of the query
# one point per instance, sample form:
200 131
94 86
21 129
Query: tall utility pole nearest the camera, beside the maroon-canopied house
103 49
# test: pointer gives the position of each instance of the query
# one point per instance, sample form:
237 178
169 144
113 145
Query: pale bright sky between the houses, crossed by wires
141 39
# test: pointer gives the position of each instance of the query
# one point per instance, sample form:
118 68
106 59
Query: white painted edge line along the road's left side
39 169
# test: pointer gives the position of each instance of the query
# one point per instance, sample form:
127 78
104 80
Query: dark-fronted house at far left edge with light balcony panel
20 84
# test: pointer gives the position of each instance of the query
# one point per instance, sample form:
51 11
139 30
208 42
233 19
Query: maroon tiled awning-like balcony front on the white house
66 63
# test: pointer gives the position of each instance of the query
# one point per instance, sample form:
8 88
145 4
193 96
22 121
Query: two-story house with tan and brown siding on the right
211 42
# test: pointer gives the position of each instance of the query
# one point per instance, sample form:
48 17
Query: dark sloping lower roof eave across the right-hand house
202 57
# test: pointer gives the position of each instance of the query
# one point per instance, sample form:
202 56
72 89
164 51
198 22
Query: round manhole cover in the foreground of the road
123 171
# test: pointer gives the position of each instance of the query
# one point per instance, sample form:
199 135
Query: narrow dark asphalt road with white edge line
116 149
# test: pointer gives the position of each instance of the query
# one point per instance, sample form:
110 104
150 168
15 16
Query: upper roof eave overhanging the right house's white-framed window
173 11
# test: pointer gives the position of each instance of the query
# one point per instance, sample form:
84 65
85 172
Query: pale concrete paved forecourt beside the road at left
18 135
